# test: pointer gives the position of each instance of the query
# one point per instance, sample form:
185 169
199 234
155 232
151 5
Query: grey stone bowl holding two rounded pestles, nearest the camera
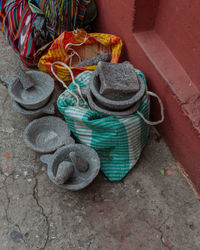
79 180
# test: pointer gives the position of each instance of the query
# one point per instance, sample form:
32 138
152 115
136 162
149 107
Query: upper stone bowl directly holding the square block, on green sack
122 101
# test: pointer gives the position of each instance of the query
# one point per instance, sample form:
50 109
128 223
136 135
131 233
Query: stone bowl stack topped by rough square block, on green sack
115 89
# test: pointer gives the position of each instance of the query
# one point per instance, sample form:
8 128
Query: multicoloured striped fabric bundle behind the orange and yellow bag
17 17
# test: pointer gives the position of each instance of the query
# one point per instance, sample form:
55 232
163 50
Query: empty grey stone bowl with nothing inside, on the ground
46 134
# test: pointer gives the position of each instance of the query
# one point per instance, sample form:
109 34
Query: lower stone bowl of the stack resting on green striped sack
95 105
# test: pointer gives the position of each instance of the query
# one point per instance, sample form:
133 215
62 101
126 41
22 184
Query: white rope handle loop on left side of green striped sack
63 83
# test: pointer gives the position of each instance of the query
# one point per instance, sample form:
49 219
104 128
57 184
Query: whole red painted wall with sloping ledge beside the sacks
143 25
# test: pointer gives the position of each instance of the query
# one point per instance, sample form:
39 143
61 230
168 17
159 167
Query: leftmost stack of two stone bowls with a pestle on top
31 93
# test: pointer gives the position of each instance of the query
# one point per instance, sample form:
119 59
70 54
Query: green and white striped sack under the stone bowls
118 141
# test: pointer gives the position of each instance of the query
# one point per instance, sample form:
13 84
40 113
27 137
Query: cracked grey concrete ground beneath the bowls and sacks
147 210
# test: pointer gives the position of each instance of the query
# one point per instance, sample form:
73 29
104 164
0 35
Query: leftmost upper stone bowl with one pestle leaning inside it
35 97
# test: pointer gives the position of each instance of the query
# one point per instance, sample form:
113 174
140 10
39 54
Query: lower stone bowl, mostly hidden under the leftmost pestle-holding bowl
48 109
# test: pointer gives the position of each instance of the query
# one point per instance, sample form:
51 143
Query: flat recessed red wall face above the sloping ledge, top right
178 24
